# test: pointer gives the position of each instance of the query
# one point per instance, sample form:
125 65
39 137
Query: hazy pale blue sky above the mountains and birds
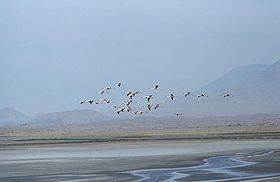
55 52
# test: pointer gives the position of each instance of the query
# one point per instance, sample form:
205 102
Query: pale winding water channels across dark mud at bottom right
214 169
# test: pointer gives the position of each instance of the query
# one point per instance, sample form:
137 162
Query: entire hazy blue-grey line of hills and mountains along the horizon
255 89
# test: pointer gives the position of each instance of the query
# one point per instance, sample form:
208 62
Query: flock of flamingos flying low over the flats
131 94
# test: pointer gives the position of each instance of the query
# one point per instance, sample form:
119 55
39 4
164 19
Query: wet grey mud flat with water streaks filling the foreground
213 160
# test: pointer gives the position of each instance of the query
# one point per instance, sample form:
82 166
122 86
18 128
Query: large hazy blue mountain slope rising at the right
255 89
